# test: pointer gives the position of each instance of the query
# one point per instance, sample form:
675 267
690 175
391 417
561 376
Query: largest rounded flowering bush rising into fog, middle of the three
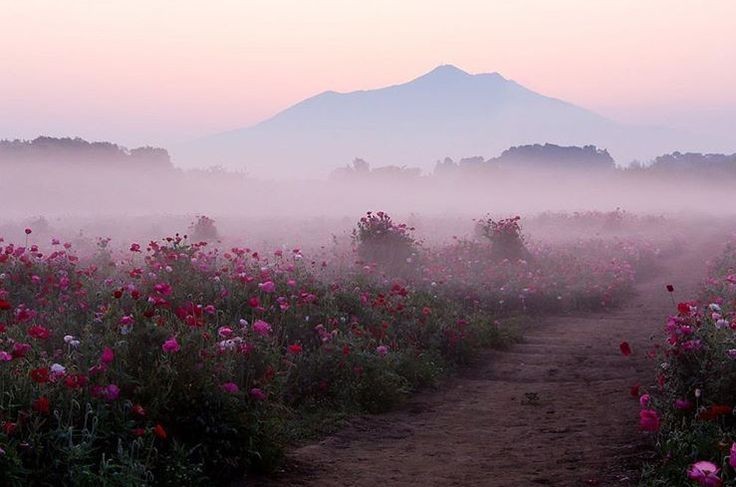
380 240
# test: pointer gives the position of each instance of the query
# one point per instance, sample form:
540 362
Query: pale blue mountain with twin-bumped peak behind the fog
446 112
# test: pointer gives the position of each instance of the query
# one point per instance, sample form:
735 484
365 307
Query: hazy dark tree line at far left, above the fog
79 152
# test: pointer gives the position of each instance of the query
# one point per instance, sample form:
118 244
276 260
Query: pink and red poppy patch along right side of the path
691 408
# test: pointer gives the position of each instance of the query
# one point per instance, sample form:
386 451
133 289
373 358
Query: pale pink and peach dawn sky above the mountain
164 71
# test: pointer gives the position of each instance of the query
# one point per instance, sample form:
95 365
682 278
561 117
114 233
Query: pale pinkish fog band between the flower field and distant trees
62 201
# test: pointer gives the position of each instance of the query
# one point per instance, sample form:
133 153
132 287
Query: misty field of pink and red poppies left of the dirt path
184 362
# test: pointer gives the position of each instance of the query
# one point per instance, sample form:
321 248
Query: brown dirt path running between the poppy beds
553 410
